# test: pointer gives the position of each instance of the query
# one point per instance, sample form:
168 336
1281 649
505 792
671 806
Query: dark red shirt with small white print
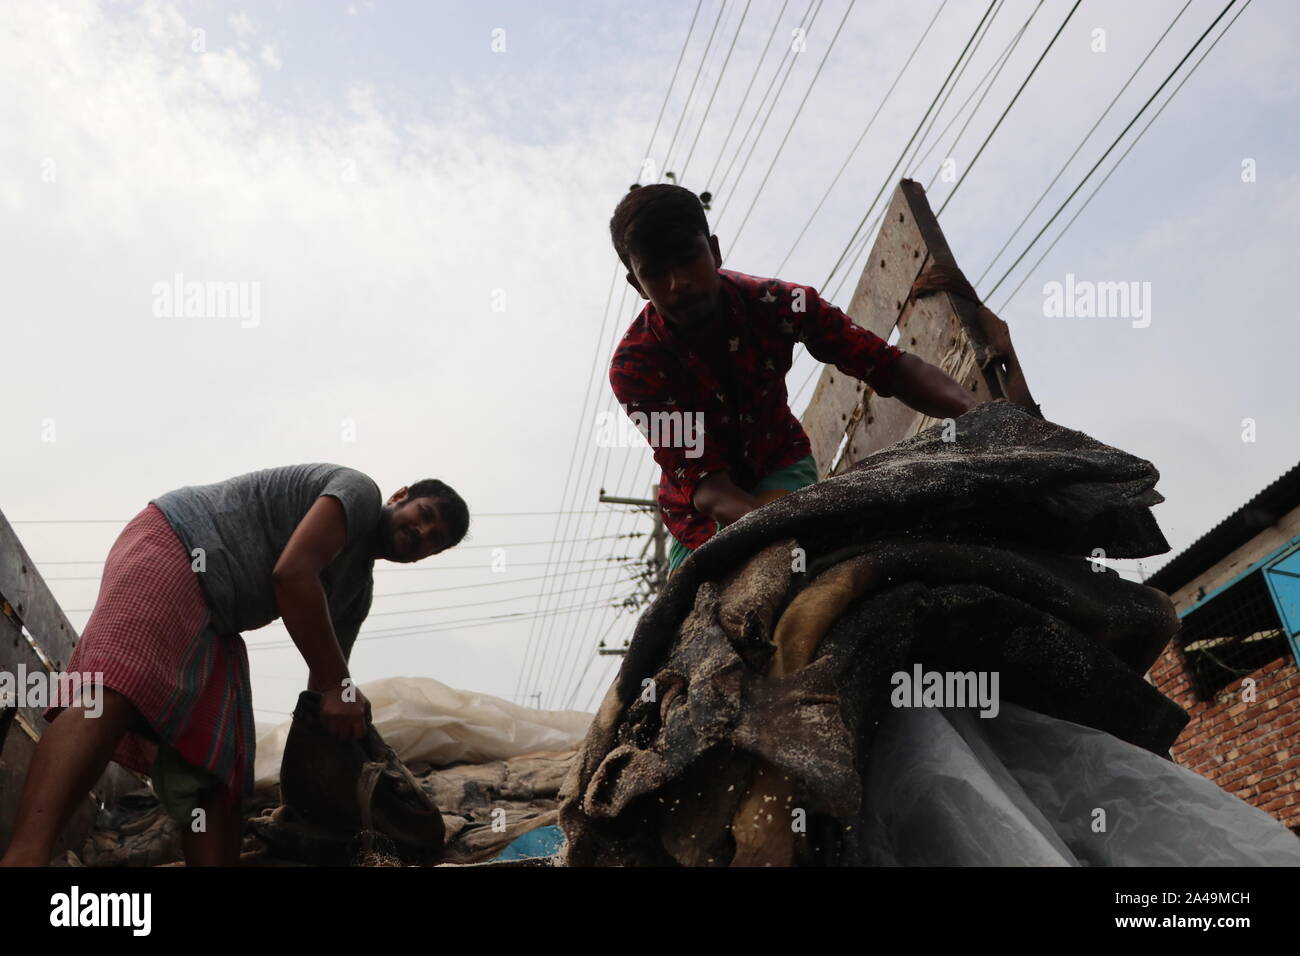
735 388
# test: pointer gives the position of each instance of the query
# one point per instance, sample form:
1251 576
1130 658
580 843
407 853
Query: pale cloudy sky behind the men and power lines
413 198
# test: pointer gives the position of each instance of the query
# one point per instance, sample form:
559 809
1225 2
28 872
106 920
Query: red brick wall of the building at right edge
1251 750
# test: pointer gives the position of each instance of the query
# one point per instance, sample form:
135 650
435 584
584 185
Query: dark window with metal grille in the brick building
1232 635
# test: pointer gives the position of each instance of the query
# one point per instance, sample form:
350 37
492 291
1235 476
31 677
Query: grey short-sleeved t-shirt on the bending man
242 525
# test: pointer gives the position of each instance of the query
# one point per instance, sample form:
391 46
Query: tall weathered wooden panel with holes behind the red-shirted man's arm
847 421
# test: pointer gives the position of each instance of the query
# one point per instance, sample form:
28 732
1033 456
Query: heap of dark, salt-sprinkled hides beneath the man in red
740 726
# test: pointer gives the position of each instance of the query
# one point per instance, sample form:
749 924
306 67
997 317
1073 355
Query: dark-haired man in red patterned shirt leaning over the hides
703 370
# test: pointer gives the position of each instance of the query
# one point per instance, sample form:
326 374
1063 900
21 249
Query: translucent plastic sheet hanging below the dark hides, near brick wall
948 788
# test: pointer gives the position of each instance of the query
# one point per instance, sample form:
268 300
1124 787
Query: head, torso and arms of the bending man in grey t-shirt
271 543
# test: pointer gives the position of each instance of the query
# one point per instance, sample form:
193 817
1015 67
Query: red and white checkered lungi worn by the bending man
151 638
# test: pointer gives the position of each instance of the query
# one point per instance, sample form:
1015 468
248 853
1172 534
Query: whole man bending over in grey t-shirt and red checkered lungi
297 543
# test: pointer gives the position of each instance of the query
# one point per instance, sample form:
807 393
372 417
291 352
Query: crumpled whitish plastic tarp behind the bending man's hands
422 719
